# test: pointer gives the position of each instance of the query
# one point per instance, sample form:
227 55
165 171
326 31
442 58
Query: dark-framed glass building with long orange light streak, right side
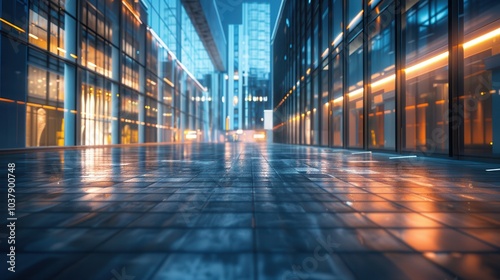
414 76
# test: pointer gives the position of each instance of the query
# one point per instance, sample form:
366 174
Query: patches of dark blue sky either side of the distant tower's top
230 11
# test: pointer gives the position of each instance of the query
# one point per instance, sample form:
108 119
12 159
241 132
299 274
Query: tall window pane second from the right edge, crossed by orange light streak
426 100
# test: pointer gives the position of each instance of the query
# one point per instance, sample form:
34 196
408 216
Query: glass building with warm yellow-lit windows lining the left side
88 72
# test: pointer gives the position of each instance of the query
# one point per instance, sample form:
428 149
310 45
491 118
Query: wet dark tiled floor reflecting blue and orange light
248 211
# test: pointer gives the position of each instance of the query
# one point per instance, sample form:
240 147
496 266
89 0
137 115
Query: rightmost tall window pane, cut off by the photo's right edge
482 78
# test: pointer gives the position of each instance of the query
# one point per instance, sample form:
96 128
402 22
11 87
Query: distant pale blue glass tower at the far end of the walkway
249 55
